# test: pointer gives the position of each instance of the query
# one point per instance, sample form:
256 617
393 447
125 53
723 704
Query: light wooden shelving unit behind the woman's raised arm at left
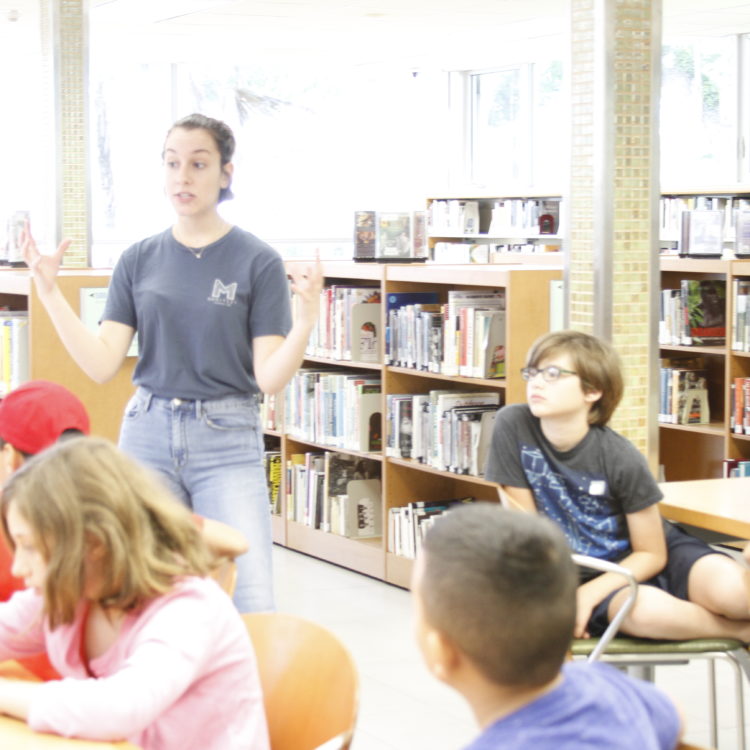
48 358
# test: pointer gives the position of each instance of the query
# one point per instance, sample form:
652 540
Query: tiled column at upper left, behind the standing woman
64 29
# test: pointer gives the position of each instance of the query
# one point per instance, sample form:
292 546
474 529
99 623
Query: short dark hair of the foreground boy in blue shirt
501 585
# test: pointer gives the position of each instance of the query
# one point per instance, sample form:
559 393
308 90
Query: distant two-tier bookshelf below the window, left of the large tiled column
500 229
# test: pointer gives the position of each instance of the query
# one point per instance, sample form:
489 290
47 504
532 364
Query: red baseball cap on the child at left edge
35 415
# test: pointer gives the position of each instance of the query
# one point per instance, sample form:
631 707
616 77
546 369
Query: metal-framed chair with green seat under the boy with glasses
644 654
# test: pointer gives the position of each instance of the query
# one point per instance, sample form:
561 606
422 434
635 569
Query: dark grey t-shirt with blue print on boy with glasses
587 491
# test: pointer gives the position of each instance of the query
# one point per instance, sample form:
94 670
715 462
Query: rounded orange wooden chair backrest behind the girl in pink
309 681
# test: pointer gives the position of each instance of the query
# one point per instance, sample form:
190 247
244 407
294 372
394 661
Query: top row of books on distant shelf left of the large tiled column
495 218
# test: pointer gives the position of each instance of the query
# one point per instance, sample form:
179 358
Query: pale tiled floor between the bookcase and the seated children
401 706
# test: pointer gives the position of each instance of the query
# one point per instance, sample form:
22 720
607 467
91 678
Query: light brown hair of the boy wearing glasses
594 360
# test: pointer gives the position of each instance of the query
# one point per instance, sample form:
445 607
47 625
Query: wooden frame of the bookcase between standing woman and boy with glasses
406 480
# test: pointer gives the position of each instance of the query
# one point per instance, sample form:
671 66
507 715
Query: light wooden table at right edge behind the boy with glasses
720 505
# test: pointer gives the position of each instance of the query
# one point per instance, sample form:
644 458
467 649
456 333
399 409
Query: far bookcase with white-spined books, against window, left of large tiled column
448 225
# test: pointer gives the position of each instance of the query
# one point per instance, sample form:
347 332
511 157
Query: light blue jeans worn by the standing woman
210 452
